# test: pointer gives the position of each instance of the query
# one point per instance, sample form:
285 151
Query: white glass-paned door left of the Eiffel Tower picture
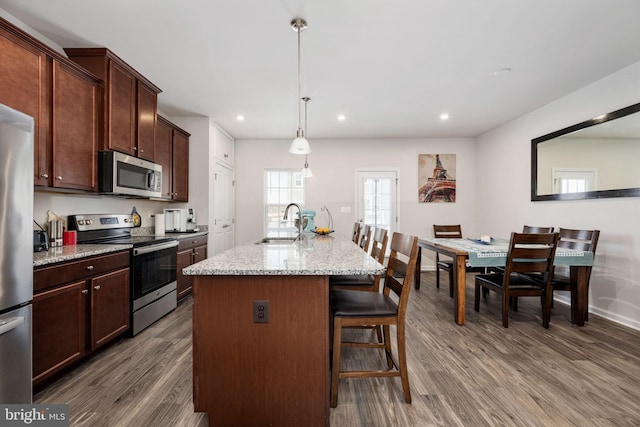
377 199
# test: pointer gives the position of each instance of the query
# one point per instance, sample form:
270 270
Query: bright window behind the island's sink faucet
282 186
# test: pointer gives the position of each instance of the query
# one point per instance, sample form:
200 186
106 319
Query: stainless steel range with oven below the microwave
153 264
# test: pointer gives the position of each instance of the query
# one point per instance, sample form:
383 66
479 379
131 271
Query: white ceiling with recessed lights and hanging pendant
391 66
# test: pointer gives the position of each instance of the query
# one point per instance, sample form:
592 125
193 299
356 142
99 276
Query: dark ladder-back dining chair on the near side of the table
527 273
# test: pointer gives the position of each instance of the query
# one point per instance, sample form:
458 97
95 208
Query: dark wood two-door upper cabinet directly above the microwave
129 102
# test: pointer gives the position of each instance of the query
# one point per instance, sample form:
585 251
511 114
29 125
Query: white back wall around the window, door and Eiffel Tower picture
334 163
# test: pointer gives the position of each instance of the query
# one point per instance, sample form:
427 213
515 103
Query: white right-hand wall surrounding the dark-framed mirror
503 193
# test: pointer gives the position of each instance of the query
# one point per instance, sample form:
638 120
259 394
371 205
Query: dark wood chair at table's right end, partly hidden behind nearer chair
580 240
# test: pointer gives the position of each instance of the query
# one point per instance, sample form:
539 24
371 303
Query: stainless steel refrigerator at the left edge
16 255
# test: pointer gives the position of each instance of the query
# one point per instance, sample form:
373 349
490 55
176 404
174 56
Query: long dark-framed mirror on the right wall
594 159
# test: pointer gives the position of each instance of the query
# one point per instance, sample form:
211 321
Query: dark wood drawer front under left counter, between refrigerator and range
57 274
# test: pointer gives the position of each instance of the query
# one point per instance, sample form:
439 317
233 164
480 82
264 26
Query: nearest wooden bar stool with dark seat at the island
355 308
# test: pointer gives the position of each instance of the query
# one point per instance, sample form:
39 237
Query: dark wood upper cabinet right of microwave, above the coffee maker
172 152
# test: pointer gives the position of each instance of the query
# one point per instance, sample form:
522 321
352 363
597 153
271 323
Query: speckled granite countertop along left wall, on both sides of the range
71 252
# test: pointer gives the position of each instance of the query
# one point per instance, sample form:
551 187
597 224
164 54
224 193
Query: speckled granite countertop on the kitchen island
314 255
